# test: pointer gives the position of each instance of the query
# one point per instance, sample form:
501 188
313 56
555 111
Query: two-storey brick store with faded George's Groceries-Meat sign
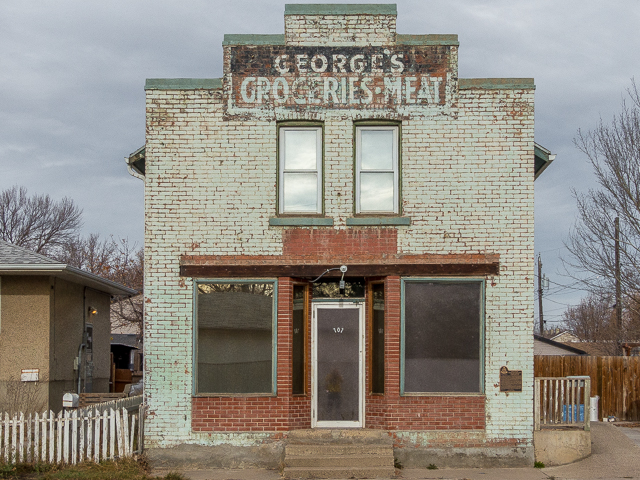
339 234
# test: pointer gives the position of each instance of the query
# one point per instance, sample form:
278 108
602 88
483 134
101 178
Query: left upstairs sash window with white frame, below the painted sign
300 170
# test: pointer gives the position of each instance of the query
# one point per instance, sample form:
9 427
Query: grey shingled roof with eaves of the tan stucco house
16 260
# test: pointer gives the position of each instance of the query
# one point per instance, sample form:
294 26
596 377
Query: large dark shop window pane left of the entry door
235 337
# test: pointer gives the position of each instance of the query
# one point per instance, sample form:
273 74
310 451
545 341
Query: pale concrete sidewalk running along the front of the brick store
615 455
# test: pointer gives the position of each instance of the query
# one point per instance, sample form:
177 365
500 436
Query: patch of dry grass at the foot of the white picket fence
125 469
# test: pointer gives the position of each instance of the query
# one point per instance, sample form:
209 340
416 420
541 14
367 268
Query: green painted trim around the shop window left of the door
274 337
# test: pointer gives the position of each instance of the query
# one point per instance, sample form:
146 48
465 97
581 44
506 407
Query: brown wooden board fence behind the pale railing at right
616 380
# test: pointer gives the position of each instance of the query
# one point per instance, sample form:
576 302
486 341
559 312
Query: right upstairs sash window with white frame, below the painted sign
377 169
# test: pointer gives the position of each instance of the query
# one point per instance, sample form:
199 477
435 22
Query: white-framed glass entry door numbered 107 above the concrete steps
337 364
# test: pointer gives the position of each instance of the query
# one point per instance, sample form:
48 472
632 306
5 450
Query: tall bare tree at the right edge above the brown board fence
614 152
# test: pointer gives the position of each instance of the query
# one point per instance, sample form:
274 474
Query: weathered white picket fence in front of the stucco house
95 433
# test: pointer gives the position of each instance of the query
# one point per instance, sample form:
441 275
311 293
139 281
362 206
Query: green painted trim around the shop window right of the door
483 289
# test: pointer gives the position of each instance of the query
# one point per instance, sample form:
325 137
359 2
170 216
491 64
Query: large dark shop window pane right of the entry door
442 331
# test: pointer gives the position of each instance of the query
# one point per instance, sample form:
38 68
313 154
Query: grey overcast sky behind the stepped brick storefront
72 74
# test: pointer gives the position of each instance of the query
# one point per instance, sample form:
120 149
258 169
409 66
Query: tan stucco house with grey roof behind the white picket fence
54 327
